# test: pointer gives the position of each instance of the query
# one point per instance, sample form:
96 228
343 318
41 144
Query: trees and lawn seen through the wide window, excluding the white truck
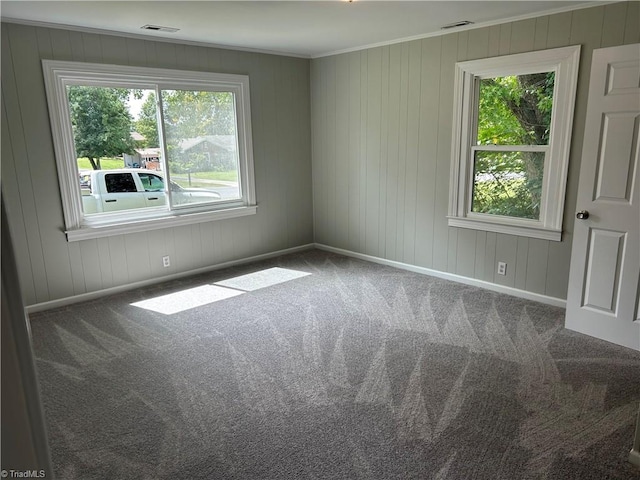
115 128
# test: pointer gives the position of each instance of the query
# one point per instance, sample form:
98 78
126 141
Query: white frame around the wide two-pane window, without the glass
60 74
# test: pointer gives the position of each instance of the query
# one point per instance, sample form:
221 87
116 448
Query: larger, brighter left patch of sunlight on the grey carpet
187 299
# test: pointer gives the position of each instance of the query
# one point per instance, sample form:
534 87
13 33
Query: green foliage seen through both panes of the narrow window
513 119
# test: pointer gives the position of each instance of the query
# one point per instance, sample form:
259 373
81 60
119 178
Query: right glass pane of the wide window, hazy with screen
202 145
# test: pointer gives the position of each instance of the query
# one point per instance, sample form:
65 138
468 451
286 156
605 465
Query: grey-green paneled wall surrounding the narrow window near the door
406 220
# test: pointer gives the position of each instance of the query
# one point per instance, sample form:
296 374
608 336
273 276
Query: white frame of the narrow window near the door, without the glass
564 62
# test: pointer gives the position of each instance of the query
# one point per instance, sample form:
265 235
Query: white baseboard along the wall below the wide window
62 302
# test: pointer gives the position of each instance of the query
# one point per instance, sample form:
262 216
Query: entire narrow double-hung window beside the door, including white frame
512 129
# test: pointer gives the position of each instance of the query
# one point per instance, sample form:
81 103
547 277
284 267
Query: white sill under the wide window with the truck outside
136 225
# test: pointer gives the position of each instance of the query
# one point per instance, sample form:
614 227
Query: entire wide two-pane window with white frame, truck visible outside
181 139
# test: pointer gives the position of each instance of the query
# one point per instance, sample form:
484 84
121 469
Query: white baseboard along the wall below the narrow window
516 292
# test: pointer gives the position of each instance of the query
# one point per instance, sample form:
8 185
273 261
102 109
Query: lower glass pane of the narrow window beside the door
508 183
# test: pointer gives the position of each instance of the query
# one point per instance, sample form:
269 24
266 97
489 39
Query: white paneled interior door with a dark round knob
604 281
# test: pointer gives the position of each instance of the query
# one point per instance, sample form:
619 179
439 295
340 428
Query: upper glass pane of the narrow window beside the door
515 110
